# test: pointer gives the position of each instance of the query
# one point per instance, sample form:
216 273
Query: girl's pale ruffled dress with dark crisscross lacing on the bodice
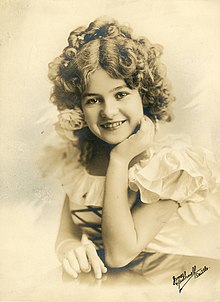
173 169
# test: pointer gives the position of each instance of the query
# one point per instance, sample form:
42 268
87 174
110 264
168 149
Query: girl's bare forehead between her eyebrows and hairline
100 82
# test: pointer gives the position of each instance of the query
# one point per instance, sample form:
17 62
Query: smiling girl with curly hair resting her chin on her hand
125 190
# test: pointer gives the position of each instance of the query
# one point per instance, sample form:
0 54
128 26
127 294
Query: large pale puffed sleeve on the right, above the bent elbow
177 171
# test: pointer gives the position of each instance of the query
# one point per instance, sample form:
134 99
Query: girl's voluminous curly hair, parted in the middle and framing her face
108 45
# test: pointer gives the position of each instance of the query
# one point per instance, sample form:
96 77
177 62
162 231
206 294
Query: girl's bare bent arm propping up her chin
126 233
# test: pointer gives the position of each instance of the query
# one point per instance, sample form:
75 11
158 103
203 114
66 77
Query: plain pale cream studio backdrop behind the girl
32 33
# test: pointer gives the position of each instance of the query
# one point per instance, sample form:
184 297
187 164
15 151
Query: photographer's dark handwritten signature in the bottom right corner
183 279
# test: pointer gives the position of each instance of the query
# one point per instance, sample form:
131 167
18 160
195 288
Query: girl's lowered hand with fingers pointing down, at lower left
83 258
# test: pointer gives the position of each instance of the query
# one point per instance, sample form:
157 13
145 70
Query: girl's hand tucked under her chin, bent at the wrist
136 143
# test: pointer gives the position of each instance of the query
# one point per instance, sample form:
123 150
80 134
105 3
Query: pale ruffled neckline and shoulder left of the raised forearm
62 161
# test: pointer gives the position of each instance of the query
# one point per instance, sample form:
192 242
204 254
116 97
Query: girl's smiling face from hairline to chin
112 110
